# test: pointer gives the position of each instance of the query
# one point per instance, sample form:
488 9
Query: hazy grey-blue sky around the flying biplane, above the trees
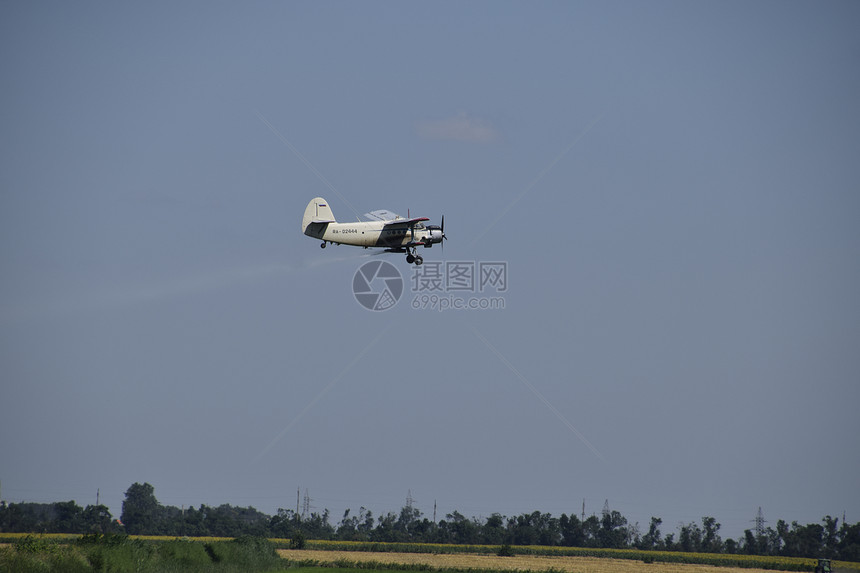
674 186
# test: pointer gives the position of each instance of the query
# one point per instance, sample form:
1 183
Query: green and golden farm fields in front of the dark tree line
100 551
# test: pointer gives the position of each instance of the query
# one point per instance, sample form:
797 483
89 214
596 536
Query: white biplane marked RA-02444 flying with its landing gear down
383 229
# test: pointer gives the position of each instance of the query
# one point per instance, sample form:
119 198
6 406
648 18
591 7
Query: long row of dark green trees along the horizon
142 514
